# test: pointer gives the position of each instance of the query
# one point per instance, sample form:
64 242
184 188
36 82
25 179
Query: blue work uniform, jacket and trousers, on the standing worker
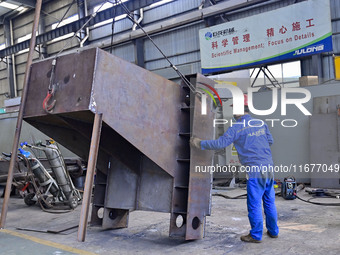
252 141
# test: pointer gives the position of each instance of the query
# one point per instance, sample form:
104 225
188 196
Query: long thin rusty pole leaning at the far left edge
4 208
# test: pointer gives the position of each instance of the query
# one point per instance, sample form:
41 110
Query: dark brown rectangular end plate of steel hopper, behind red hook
73 80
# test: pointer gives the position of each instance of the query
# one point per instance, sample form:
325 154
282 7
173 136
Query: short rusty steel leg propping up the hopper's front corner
91 165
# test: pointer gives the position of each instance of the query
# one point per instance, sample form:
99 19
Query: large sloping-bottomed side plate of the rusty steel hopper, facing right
143 108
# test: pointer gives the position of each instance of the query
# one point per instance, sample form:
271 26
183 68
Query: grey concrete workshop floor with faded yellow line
304 229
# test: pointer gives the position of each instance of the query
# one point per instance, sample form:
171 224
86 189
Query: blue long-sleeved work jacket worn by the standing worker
252 142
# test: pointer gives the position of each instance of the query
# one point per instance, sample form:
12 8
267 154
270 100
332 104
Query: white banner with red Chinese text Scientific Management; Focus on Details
290 32
